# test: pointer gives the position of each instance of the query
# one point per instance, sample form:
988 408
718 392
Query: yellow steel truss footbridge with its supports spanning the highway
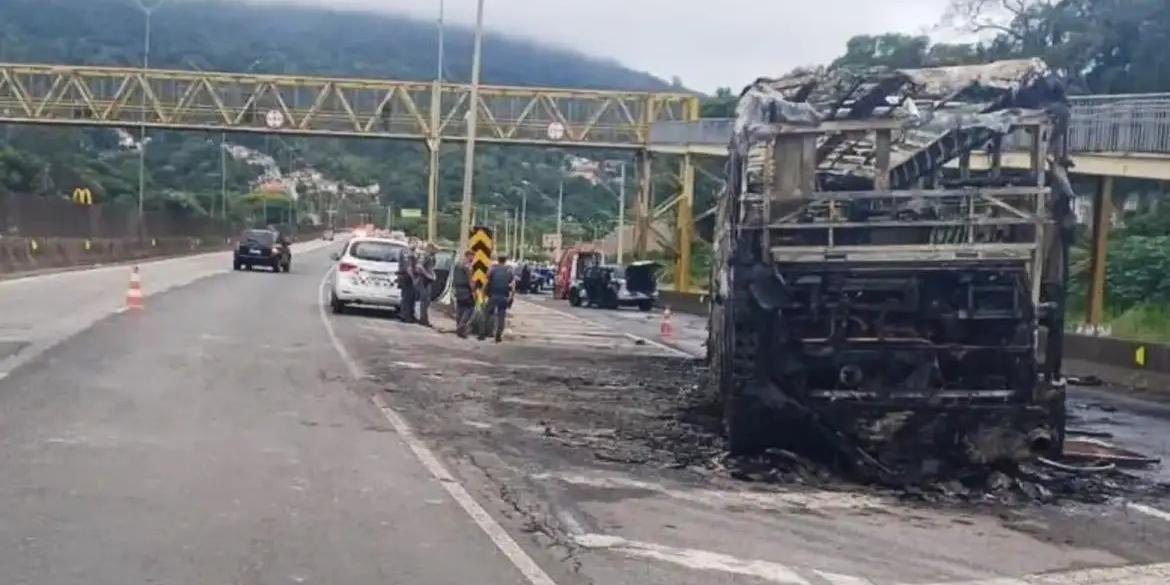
431 113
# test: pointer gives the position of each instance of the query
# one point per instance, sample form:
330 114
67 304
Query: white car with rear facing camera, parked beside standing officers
367 274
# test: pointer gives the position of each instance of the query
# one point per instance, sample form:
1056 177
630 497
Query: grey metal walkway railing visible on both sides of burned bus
1120 123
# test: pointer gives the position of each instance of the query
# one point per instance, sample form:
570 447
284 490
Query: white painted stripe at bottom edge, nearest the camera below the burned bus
693 559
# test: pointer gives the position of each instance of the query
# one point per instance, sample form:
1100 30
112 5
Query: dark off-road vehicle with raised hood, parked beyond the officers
611 287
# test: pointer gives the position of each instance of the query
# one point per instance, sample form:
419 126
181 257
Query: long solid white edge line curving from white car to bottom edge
499 536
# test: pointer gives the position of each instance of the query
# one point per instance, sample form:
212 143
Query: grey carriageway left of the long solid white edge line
216 437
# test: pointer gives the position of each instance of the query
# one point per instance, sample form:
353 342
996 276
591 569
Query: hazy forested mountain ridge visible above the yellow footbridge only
288 39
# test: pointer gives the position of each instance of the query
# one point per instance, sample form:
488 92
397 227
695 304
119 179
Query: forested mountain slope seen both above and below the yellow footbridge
184 168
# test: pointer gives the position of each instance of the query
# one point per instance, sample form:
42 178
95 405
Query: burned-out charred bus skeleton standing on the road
878 300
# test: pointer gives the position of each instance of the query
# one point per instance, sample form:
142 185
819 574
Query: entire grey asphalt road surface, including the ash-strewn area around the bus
237 433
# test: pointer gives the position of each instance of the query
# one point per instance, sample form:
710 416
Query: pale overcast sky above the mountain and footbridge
708 44
